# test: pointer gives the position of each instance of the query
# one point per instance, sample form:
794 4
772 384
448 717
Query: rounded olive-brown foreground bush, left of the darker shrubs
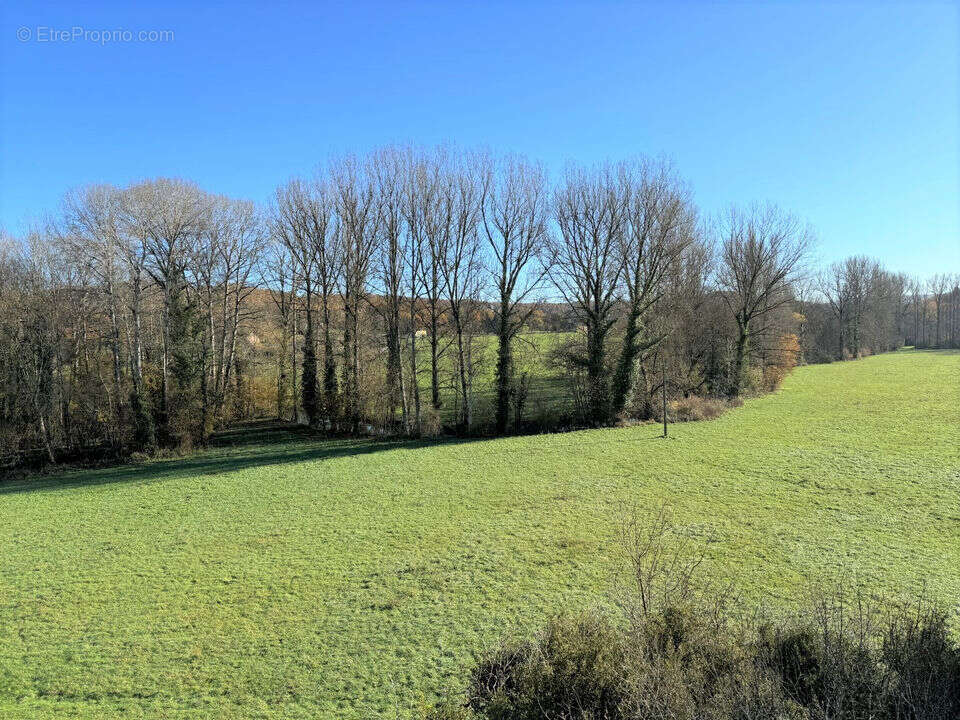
588 667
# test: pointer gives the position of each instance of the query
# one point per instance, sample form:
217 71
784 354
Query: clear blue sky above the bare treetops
846 114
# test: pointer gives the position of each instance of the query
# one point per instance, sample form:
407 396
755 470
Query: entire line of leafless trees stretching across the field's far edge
372 295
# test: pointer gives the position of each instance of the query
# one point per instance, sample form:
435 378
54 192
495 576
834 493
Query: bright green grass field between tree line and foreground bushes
280 577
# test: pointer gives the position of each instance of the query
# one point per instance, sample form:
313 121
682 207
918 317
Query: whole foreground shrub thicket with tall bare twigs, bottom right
678 654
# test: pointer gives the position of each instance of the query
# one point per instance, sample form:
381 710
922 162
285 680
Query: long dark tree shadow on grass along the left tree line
250 445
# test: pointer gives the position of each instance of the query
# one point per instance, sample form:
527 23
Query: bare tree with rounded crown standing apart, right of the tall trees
762 250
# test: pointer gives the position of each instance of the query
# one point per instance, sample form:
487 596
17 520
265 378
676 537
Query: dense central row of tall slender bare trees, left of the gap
418 246
